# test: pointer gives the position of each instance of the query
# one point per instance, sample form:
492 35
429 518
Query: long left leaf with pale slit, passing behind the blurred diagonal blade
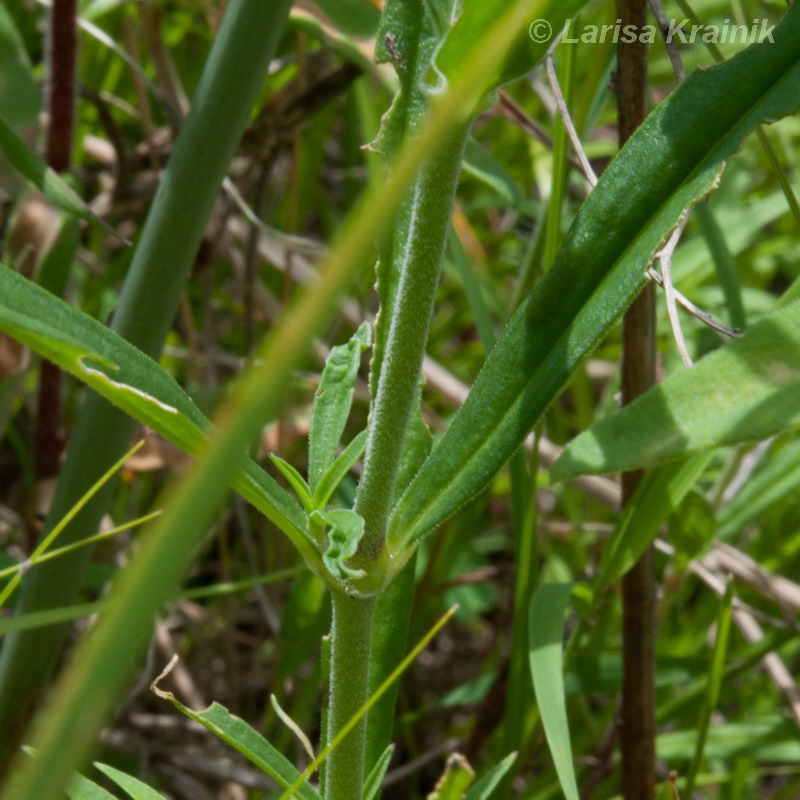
134 382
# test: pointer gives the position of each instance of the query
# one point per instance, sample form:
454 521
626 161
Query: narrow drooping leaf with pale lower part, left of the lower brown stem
546 634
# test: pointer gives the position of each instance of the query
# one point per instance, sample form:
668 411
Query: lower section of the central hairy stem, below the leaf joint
351 637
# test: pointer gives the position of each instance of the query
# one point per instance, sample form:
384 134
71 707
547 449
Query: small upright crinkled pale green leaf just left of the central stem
332 403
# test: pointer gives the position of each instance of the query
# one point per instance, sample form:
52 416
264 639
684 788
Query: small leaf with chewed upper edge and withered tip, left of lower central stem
242 737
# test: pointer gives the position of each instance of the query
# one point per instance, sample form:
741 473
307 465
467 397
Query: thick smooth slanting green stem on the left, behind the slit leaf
220 111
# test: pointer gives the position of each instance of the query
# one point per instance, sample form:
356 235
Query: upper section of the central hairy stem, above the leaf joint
431 207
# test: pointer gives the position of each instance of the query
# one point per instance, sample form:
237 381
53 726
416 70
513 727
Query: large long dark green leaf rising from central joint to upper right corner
672 160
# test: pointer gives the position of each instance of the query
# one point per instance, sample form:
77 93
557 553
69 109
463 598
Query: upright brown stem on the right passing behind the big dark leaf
637 734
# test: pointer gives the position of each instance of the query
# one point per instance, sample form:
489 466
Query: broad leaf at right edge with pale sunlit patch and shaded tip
743 392
